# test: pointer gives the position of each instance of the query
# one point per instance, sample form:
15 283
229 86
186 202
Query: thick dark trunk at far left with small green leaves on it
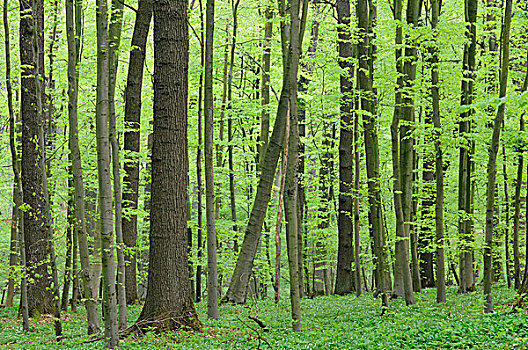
35 228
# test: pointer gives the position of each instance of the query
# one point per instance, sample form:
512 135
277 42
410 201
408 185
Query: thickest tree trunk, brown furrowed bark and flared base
169 304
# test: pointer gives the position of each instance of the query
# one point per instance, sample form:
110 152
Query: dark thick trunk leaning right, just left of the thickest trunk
132 143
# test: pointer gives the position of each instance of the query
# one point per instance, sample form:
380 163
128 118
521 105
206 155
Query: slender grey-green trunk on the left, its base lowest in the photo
105 185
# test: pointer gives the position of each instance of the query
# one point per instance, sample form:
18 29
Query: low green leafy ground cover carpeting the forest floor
332 322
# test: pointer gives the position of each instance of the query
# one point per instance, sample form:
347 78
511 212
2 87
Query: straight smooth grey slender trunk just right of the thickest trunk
212 270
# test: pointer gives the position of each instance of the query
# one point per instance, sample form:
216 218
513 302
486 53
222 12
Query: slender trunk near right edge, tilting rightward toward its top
492 161
